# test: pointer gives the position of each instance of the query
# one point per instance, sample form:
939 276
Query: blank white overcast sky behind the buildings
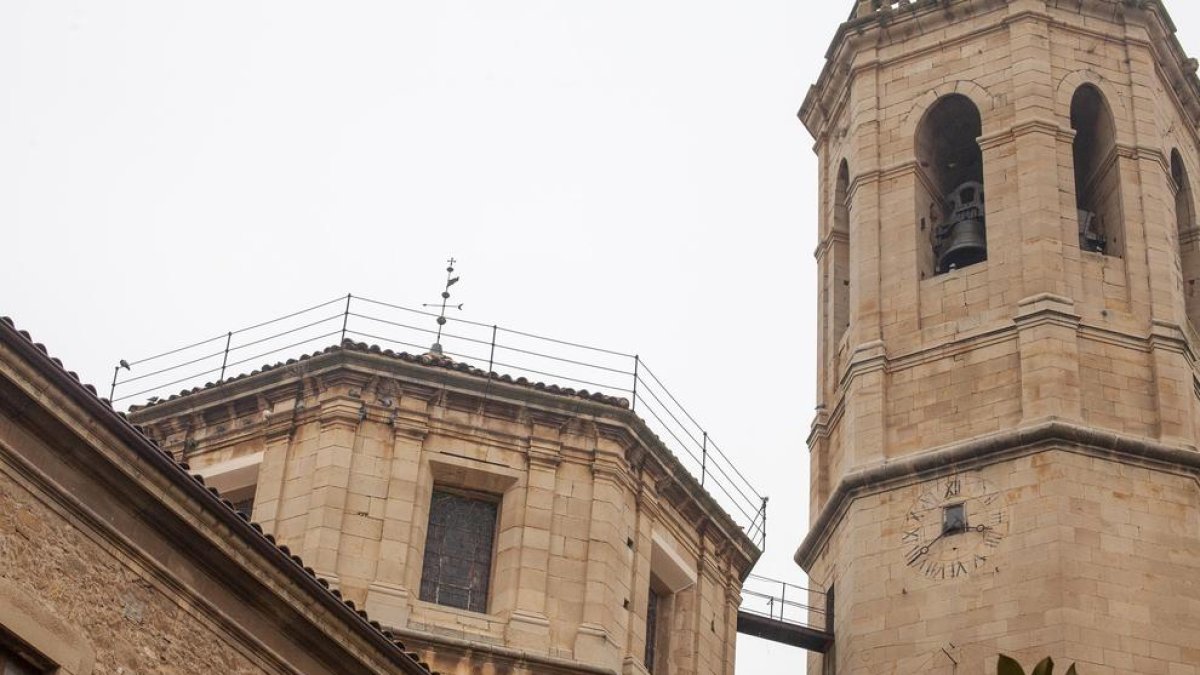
625 174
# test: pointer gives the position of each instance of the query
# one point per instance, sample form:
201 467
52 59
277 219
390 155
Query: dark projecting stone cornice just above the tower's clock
1041 437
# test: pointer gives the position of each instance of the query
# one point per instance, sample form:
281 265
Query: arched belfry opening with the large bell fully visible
951 196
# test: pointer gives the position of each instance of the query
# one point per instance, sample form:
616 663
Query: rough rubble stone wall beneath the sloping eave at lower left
128 618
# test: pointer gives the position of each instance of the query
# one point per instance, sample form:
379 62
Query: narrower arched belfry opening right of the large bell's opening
1097 172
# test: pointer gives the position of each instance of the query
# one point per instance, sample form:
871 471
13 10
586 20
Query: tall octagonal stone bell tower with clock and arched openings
1005 452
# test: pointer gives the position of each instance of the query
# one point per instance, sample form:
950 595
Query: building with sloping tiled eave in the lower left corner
115 560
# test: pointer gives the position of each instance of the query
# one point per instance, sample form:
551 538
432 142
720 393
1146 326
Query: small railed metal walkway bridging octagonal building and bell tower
788 614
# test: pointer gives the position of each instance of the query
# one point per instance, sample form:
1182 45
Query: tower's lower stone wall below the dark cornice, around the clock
1097 566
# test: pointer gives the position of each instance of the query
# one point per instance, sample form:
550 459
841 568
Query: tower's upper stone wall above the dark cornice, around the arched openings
905 365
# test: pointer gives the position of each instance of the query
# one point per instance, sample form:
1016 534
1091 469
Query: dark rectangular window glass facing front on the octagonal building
459 551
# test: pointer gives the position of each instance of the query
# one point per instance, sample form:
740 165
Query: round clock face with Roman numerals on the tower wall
955 527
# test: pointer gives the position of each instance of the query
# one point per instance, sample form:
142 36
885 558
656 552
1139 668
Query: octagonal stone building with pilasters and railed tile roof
496 527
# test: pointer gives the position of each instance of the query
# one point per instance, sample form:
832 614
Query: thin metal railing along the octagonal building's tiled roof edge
488 347
